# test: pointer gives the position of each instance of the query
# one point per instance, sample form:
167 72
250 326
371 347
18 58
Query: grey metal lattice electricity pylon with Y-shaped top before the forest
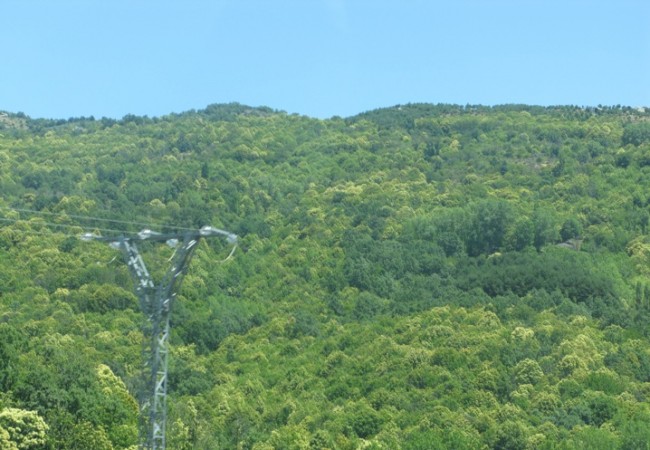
156 304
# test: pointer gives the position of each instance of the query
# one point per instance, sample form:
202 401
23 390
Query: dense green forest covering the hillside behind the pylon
416 277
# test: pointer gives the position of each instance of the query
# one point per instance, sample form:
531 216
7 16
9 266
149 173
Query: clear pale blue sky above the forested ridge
71 58
